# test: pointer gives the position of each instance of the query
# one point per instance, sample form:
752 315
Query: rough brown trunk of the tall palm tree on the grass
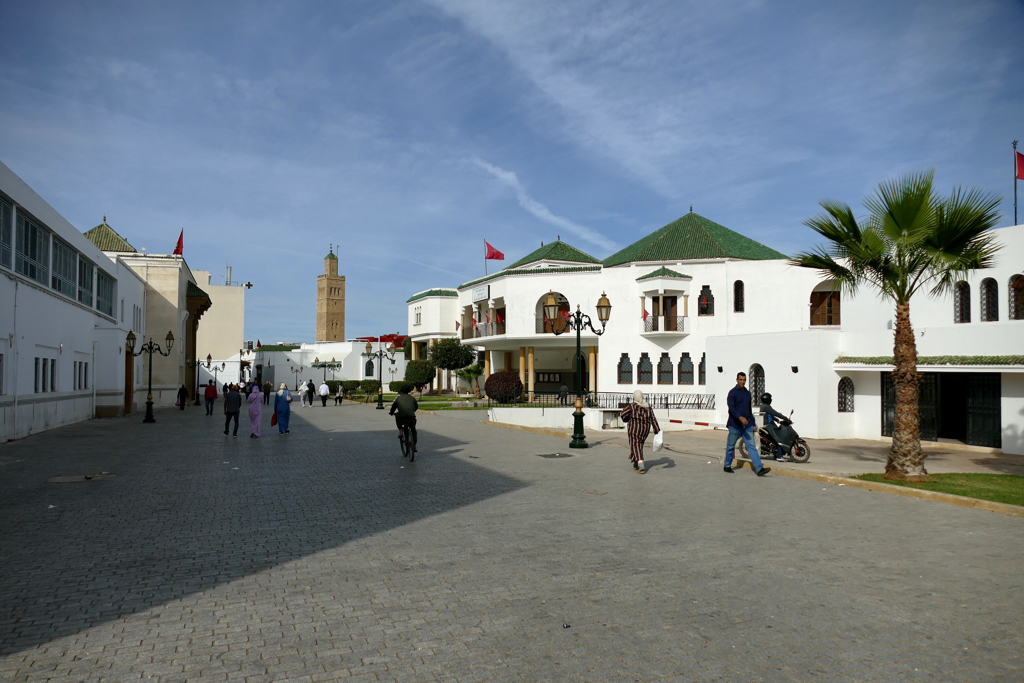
907 460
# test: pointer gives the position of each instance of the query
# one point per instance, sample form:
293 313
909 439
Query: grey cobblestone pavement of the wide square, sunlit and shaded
325 557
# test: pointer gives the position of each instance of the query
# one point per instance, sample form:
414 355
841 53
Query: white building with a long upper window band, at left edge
68 310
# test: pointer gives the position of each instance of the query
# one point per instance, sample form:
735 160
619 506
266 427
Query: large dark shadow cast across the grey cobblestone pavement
178 519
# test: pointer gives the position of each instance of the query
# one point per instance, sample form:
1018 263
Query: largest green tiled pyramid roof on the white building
693 237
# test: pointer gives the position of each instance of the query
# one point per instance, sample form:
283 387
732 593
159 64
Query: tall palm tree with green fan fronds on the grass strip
910 241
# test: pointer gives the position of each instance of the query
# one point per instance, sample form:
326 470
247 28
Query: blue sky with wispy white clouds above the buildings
409 133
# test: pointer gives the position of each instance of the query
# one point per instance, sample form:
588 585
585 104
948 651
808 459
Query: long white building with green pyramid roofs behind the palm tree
695 303
